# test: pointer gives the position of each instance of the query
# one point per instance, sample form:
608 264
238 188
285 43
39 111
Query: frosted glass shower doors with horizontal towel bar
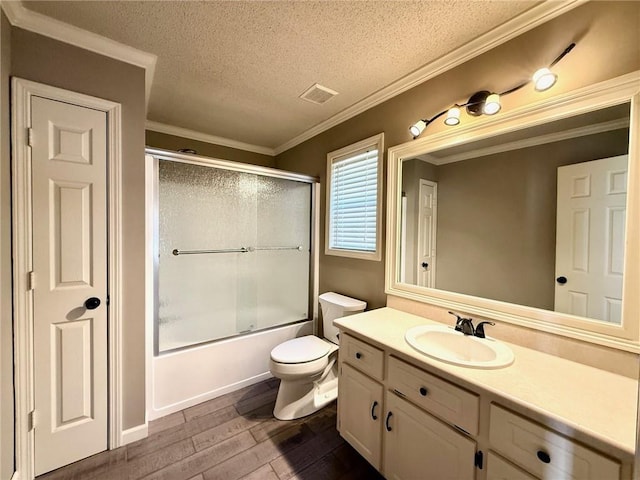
209 296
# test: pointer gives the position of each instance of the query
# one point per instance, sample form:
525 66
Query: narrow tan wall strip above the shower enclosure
173 142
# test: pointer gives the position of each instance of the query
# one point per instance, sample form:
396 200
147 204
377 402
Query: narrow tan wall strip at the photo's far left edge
6 324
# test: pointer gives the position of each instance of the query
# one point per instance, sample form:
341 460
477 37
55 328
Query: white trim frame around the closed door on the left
23 90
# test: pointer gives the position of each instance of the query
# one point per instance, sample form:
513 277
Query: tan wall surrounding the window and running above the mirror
608 35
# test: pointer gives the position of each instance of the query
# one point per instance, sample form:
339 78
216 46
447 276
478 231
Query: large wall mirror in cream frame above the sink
531 217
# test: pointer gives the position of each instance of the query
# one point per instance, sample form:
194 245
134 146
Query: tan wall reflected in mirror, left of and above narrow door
412 173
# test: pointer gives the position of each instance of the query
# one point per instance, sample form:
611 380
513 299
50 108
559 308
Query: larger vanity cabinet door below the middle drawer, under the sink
416 445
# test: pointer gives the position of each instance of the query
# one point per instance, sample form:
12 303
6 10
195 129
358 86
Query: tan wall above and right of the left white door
47 61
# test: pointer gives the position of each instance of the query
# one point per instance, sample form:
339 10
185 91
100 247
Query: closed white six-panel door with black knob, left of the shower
69 154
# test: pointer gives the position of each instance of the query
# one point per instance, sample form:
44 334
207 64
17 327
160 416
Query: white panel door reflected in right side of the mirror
591 213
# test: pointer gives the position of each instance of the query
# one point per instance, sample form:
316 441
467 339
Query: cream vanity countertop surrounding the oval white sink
597 403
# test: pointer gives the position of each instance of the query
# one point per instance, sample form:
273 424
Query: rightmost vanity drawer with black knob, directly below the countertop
544 452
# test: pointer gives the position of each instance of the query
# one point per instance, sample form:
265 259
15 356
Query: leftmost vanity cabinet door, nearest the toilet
360 413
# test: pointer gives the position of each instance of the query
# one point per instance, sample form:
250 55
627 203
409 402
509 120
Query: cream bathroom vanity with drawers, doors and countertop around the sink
412 418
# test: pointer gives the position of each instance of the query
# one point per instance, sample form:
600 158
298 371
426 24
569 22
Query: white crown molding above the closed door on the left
21 17
